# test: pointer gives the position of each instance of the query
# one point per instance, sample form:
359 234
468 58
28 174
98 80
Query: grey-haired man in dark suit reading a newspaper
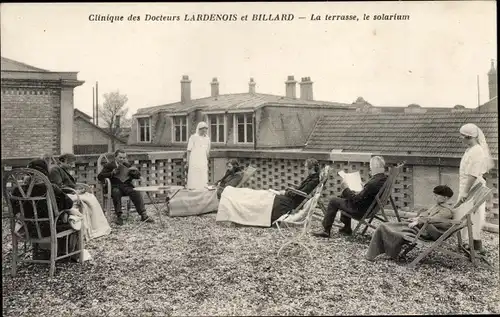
356 204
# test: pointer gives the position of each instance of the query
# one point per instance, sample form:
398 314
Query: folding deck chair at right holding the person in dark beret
477 196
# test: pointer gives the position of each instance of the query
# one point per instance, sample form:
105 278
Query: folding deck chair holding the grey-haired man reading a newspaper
377 206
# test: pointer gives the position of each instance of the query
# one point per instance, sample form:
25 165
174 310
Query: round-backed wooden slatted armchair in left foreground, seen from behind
28 211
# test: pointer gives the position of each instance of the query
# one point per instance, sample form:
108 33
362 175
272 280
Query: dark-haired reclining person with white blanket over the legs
262 207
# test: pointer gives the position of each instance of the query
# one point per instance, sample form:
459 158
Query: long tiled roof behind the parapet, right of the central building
427 134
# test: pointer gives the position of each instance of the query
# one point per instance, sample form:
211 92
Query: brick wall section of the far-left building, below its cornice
30 123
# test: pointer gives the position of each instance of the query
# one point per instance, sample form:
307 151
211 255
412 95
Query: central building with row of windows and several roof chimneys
248 120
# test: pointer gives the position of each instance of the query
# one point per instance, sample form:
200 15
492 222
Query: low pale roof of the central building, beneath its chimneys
239 101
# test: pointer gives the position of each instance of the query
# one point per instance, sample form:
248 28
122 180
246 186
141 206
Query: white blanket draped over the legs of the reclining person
246 206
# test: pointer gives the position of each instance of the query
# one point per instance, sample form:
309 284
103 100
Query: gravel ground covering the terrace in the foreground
195 267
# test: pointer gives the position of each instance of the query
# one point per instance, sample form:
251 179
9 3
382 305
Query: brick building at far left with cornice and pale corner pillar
37 110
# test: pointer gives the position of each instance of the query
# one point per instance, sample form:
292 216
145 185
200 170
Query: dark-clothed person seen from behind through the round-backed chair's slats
64 204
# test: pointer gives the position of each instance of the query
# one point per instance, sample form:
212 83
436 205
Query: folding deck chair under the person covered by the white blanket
302 215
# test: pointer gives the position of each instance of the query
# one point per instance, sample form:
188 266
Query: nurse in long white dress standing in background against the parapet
197 157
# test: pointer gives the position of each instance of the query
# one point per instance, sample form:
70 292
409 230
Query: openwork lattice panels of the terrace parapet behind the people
168 169
